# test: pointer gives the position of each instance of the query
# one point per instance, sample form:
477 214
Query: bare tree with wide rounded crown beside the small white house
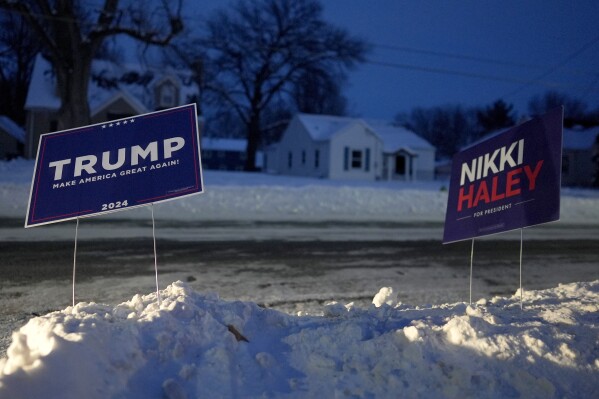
258 50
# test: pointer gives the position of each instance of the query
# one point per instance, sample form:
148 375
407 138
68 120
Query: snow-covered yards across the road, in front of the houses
243 197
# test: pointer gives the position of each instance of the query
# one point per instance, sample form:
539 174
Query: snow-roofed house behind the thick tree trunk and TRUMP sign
115 91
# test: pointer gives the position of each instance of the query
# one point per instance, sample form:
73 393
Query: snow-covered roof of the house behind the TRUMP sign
108 79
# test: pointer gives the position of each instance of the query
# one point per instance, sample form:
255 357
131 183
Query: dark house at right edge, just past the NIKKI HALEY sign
579 147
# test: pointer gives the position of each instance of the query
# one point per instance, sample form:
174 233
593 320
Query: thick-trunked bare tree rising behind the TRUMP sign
71 32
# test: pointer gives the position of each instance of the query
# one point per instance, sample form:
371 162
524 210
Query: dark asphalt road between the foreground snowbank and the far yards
293 276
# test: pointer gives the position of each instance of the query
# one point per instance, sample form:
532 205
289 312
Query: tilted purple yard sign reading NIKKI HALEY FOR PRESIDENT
508 182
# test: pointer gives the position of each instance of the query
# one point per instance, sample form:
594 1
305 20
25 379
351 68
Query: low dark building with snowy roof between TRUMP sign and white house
226 154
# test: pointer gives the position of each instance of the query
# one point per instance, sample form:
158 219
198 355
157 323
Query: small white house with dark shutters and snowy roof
349 148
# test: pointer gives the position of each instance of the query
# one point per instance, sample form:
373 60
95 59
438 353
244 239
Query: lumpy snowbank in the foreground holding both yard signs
197 346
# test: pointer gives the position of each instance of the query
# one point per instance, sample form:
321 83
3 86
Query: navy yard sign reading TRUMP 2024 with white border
115 166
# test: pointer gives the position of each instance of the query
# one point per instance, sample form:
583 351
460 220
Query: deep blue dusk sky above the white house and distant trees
428 53
